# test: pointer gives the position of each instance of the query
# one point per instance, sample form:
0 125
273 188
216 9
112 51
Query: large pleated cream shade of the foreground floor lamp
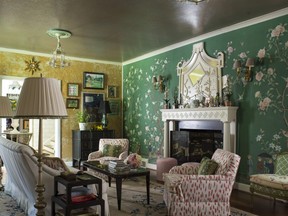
40 98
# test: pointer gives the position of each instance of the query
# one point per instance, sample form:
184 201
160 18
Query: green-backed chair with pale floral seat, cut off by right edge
274 185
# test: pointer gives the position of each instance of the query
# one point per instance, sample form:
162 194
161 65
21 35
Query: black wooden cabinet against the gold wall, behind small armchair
85 142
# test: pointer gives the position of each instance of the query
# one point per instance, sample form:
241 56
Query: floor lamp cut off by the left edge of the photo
5 112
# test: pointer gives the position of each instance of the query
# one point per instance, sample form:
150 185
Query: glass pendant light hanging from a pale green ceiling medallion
58 58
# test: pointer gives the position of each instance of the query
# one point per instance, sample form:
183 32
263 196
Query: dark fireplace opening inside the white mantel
196 139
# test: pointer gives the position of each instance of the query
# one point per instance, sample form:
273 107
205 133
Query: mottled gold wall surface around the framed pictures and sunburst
14 64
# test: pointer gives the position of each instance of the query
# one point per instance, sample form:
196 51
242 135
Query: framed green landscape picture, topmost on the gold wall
93 80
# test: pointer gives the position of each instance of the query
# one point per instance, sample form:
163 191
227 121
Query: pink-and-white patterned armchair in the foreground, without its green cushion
187 193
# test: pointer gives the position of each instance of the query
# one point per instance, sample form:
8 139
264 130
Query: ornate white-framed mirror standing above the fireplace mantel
200 76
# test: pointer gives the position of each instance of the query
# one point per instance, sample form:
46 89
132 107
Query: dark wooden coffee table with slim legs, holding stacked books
119 176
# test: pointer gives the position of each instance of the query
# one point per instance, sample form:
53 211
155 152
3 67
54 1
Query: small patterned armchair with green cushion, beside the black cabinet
110 149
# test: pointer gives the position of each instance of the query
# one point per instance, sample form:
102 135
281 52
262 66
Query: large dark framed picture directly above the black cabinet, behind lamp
91 103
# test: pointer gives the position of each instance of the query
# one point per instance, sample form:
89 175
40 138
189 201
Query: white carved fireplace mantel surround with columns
227 115
